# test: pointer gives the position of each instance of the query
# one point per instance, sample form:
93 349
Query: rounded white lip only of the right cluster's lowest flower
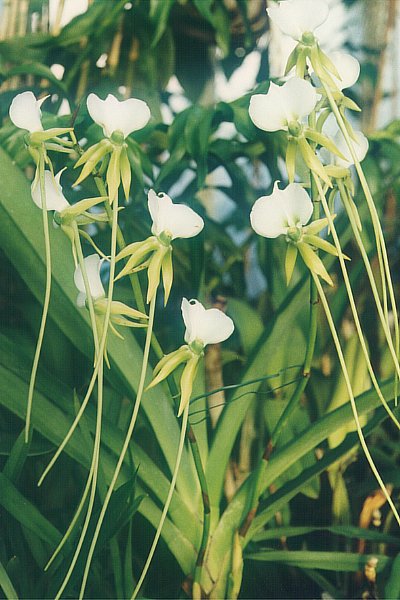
283 212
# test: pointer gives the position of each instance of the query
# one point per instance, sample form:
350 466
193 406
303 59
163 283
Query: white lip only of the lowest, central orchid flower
204 326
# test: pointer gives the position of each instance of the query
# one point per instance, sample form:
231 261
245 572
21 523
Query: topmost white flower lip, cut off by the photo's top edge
297 17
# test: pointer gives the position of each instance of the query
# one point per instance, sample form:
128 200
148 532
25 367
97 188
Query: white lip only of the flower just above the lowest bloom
171 221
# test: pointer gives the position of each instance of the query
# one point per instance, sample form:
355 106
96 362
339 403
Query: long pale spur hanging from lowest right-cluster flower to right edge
351 396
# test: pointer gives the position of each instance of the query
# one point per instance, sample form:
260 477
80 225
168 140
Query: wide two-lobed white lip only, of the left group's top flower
113 115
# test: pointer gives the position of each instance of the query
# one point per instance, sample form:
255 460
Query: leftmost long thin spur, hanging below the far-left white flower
47 293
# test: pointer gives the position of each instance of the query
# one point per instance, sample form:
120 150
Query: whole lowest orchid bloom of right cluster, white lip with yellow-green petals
287 212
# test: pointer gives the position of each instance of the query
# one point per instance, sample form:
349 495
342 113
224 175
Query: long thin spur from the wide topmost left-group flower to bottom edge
99 365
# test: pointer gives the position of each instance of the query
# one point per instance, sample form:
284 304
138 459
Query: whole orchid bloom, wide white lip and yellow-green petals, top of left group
118 119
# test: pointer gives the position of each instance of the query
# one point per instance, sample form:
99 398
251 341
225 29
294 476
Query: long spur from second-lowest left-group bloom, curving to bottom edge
126 442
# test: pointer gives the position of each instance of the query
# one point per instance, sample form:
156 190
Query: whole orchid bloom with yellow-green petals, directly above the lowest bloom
170 221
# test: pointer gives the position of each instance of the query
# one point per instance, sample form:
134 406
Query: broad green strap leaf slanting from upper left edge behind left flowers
21 240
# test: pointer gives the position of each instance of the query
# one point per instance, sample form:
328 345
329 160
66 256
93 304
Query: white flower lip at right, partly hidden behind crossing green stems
360 145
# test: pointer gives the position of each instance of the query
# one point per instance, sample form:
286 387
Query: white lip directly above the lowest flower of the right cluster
282 105
